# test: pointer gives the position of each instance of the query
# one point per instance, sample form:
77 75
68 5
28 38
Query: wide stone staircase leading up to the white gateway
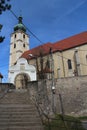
18 113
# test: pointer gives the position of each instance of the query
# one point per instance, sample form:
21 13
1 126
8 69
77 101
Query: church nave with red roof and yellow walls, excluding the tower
67 58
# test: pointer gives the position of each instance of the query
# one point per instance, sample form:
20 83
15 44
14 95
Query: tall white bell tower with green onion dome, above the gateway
19 42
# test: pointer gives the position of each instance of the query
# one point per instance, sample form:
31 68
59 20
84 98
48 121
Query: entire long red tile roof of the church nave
68 43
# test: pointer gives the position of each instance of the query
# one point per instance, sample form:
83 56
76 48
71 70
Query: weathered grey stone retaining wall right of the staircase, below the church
73 92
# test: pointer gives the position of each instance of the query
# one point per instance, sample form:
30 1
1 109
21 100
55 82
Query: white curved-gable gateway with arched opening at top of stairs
21 73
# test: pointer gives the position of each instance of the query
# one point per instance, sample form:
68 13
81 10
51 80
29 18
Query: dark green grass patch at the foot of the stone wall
63 123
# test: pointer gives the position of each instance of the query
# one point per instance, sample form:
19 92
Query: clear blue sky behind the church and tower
49 20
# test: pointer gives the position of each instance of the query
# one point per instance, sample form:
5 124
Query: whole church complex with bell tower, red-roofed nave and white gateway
65 58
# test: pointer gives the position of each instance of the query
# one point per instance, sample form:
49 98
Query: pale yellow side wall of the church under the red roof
60 62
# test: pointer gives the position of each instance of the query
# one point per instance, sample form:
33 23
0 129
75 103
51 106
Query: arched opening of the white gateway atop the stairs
21 81
